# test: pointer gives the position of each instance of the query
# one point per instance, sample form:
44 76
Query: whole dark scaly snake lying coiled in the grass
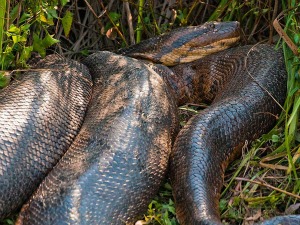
119 158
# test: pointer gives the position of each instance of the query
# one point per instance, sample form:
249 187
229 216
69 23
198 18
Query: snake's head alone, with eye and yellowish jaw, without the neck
199 41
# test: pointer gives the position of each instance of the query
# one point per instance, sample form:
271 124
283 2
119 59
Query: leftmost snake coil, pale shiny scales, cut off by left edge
41 113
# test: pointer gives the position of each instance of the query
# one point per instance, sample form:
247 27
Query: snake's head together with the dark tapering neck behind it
186 44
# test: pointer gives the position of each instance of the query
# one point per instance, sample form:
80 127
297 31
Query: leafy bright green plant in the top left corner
24 28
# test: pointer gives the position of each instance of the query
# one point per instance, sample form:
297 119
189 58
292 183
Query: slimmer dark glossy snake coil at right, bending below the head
249 83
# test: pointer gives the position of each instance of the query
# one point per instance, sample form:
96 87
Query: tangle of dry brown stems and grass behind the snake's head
109 25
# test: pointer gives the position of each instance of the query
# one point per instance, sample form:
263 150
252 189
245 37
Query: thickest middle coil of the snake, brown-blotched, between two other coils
119 159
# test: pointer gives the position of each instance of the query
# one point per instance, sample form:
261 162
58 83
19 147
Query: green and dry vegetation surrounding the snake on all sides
264 182
